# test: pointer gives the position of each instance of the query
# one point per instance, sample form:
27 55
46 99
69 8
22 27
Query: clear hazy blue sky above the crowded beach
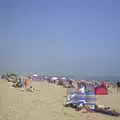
65 37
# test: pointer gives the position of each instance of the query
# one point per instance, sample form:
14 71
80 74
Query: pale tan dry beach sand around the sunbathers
46 103
